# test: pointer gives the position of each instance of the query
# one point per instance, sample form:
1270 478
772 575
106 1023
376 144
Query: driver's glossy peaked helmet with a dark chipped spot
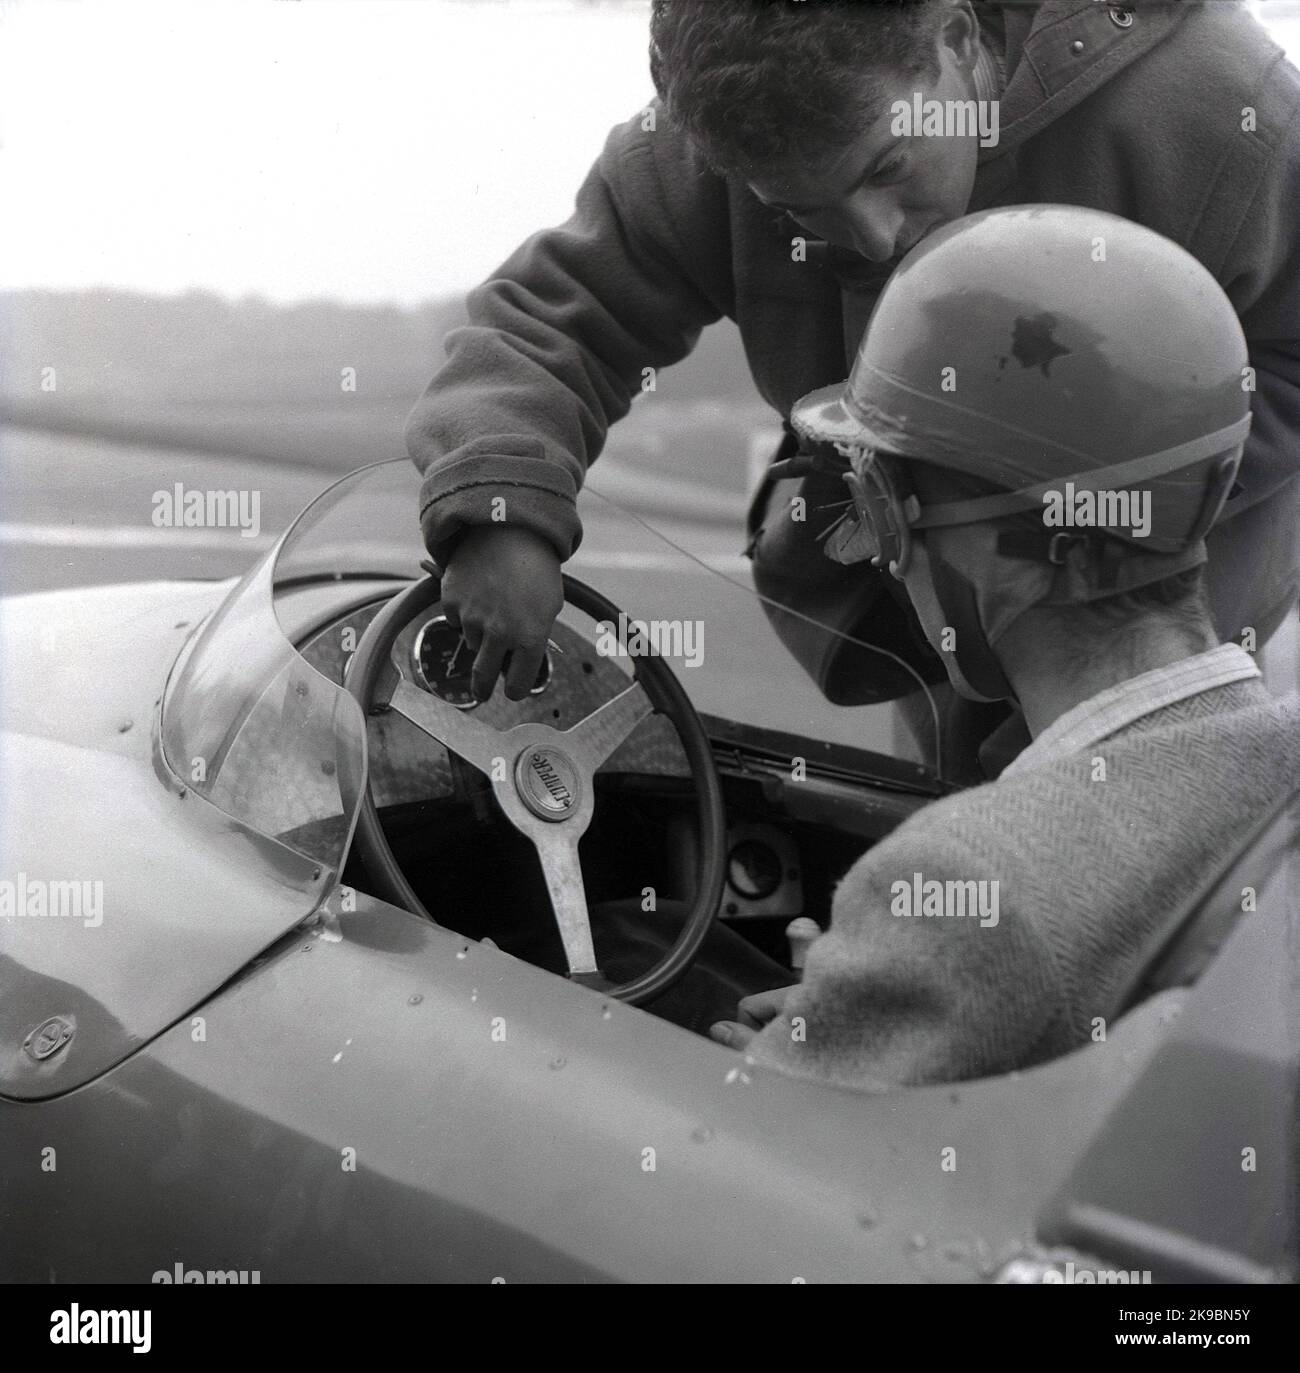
1049 352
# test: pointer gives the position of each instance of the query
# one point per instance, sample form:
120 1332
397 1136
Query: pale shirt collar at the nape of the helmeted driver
1119 706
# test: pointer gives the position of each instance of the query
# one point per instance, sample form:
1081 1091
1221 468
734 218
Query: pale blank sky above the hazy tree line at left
358 150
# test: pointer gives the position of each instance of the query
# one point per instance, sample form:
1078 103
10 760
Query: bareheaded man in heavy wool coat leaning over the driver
778 183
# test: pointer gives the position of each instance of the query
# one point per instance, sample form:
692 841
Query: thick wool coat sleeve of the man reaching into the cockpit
559 336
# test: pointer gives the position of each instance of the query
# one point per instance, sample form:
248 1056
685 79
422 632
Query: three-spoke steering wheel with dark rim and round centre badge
543 779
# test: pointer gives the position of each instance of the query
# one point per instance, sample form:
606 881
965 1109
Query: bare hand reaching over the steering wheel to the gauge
503 586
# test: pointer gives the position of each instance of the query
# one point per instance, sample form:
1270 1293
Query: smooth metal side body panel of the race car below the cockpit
521 1154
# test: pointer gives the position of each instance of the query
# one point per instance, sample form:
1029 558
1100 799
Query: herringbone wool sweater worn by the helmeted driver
1091 874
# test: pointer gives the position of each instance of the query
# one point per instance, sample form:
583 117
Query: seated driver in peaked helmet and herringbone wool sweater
999 927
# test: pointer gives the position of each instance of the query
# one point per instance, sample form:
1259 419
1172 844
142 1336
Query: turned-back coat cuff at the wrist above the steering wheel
499 491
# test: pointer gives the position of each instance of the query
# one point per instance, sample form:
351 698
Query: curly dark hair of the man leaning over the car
752 82
